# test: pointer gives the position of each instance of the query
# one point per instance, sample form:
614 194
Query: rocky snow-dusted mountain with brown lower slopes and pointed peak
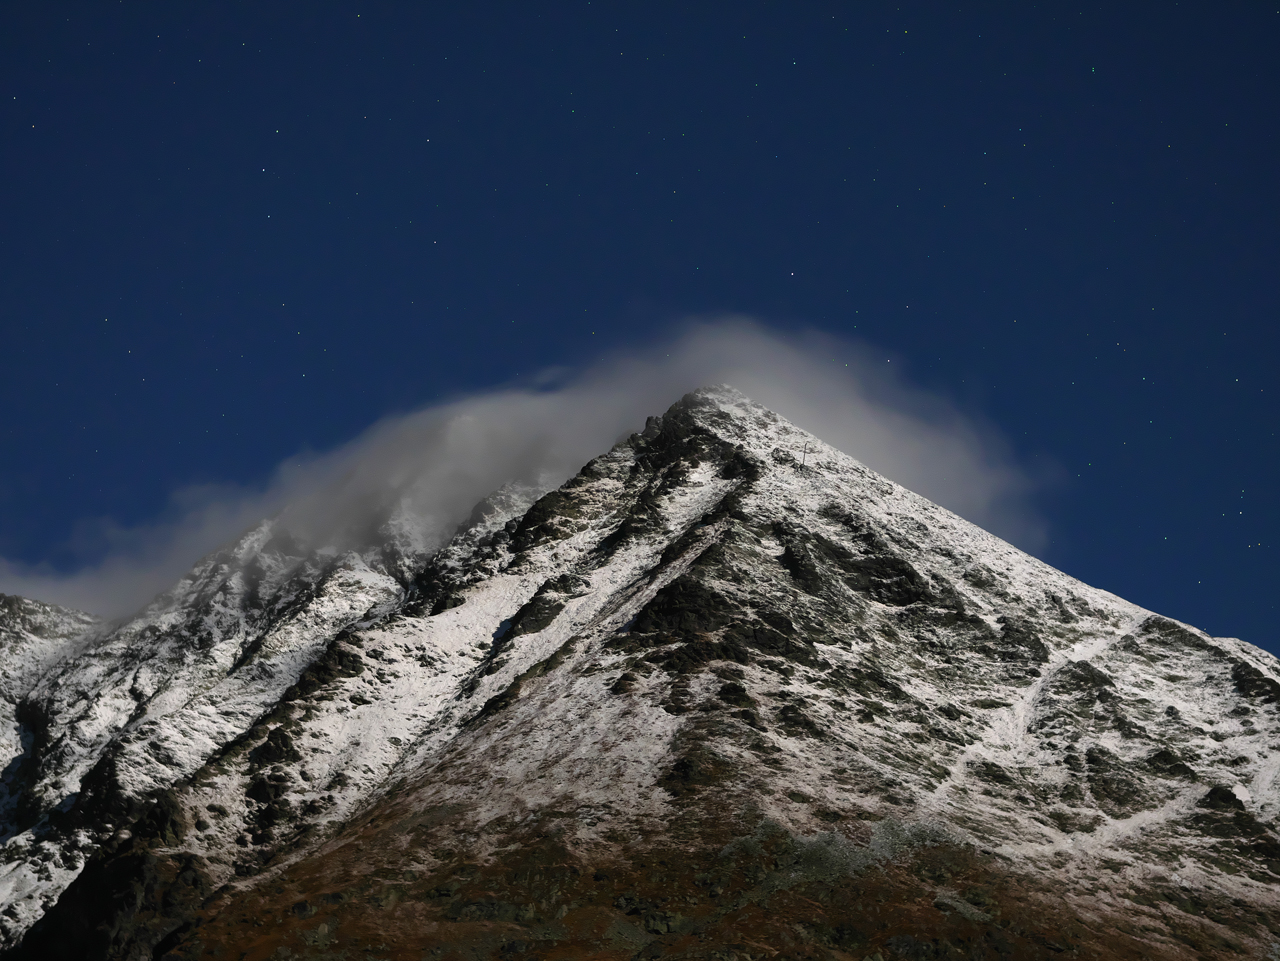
725 694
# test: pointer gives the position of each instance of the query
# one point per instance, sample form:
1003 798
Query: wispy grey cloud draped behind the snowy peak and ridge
428 469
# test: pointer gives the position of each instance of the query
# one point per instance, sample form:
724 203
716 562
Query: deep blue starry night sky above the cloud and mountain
234 232
